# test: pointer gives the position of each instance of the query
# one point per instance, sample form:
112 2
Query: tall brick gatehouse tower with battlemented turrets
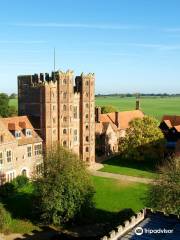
61 111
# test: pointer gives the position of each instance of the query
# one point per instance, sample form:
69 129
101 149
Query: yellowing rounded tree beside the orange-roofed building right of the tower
143 140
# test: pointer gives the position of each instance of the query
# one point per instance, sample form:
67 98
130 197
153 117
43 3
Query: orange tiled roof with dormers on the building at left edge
21 123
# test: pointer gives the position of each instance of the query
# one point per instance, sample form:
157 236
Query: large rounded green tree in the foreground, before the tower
65 190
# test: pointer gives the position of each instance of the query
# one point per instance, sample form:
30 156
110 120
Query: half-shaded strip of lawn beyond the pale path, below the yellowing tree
121 166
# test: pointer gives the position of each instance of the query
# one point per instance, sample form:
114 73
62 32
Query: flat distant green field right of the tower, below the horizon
153 106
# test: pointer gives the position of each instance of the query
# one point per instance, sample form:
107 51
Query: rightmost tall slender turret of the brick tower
87 117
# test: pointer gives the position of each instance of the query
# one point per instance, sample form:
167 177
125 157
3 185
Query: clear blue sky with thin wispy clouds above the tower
131 45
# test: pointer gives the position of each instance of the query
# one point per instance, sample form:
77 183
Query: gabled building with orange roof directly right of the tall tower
110 127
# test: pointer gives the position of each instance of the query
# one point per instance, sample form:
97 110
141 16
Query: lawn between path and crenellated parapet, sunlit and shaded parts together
116 201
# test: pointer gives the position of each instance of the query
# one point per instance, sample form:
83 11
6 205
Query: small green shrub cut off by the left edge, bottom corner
5 218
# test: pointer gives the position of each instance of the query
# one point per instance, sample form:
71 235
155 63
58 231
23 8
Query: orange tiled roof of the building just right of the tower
123 117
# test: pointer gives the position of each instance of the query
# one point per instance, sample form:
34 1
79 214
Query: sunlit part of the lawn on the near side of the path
114 195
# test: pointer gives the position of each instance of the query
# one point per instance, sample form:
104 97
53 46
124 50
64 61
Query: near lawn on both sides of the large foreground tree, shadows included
115 201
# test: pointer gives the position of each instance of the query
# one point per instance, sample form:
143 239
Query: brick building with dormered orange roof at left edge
20 148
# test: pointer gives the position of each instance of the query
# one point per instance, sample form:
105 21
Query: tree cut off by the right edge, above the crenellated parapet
165 194
